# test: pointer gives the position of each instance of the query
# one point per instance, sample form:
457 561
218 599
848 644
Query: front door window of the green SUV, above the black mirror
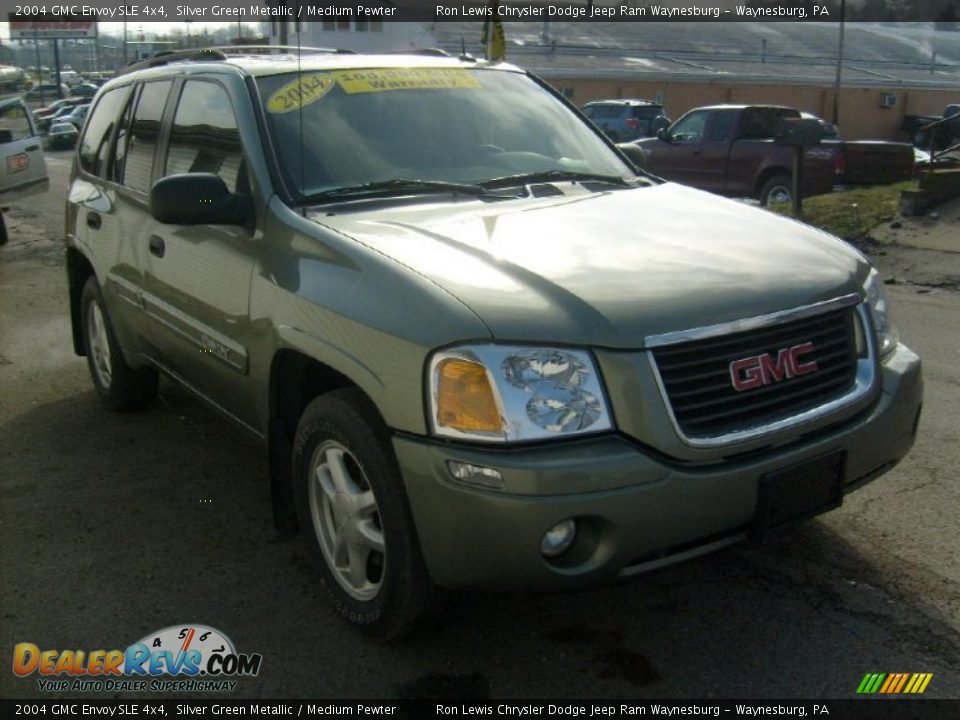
204 136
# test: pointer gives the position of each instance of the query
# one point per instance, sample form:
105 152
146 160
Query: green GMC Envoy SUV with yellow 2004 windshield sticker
480 348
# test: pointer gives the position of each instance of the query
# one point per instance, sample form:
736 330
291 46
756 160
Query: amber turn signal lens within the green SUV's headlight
465 399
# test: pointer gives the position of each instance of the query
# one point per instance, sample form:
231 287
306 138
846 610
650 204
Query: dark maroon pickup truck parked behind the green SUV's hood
730 150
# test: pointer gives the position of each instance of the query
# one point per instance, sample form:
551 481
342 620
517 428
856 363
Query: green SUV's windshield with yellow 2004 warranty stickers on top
467 126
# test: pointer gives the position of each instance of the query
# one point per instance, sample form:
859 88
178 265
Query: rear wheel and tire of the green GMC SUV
120 387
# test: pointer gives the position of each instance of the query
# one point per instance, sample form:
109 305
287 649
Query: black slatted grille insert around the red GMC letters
696 374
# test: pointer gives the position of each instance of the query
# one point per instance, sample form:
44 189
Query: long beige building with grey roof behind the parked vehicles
888 70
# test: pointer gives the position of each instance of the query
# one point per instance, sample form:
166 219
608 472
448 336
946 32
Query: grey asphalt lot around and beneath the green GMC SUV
115 526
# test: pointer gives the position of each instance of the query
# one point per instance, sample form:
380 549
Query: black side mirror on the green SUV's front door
197 199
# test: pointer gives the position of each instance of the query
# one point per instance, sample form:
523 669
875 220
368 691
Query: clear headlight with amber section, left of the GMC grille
498 393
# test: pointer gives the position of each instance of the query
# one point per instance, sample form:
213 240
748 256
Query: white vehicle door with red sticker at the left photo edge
23 171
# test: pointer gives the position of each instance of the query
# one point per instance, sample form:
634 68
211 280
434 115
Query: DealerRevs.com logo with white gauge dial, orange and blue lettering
180 658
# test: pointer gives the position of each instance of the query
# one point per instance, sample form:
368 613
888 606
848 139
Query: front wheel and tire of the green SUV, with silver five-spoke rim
353 509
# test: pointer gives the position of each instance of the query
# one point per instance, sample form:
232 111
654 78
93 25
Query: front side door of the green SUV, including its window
197 277
